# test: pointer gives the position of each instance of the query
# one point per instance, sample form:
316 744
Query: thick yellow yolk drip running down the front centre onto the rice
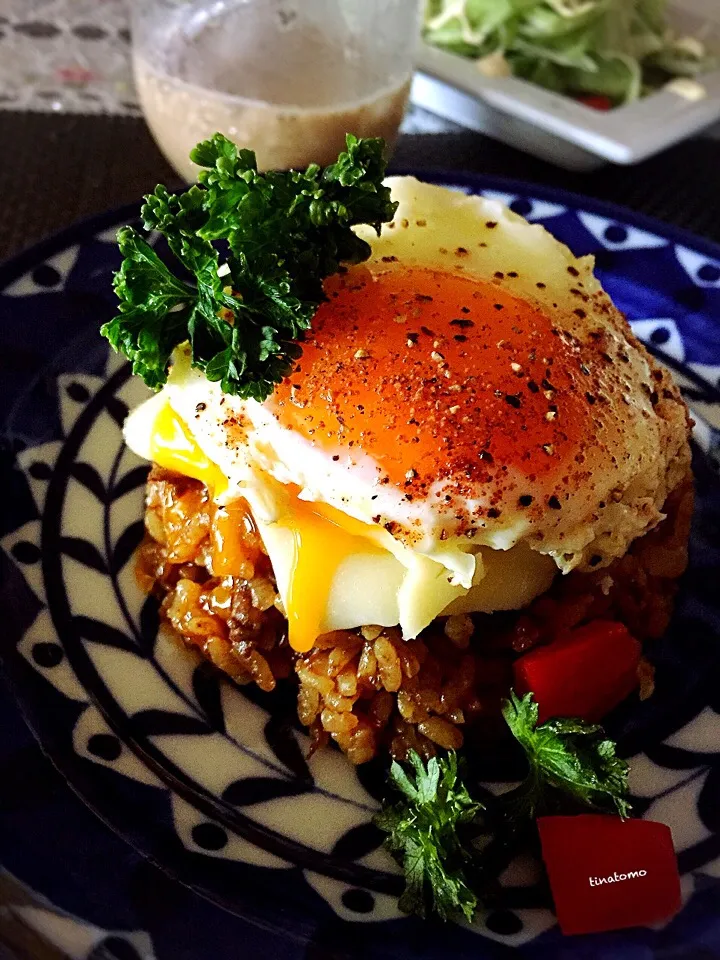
322 538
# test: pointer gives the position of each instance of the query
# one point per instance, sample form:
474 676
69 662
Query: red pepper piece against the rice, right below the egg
584 674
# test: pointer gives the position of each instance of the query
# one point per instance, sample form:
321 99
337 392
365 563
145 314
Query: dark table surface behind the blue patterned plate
57 169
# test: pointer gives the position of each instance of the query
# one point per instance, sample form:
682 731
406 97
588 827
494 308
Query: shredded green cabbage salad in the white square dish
618 49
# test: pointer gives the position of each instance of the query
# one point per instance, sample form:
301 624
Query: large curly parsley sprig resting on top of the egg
280 235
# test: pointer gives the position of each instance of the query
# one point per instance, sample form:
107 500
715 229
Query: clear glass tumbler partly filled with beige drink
286 78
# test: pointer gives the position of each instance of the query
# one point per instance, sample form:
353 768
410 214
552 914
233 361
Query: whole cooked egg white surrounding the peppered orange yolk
509 562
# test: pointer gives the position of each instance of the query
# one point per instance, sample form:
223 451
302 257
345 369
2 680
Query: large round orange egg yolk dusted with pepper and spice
437 377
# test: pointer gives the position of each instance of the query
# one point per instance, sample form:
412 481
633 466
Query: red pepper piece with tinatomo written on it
607 873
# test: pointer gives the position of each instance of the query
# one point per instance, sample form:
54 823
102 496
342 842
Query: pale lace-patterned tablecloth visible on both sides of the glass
73 56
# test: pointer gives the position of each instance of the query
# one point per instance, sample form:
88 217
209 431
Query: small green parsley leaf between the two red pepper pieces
567 755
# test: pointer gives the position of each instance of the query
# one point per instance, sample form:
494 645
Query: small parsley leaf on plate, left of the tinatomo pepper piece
423 836
